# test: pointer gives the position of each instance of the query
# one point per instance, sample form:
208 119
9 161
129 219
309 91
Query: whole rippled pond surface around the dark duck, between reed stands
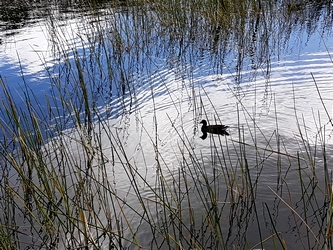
150 91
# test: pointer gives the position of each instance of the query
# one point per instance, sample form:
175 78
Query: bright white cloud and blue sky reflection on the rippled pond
170 94
